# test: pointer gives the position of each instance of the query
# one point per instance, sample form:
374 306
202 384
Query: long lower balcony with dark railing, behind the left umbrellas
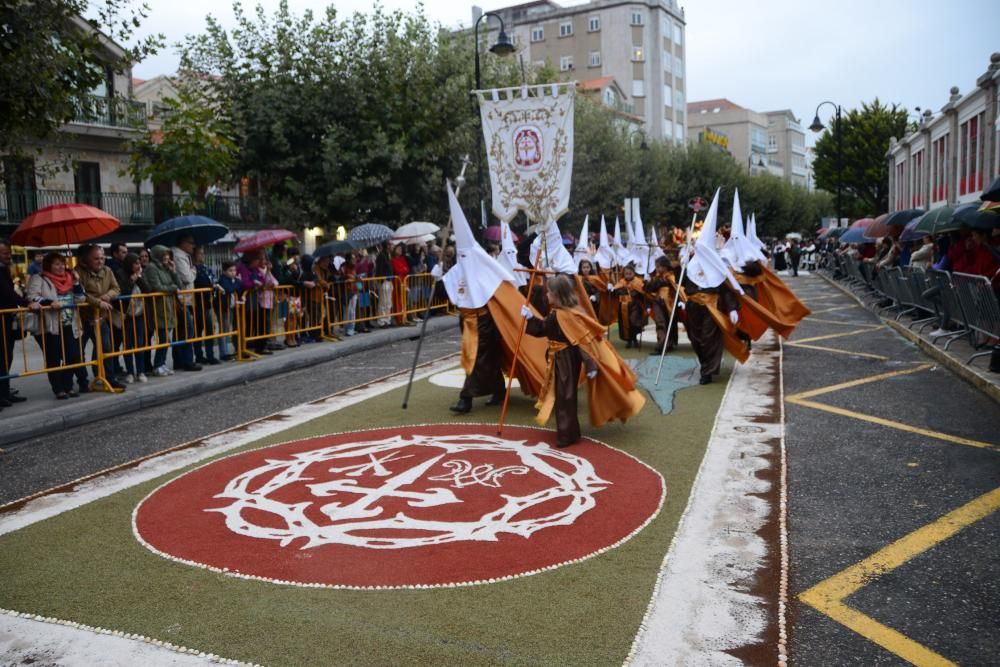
130 208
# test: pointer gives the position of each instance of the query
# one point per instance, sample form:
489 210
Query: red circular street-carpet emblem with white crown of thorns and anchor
432 505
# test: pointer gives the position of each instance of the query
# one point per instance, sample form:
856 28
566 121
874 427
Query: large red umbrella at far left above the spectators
62 224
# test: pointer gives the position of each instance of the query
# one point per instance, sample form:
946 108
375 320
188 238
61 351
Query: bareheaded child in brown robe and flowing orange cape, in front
579 352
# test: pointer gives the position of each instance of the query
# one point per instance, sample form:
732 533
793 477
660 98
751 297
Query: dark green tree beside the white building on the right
862 173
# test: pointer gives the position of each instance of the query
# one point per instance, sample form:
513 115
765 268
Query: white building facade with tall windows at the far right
950 157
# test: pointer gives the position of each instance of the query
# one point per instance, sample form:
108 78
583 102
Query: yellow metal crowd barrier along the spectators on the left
192 321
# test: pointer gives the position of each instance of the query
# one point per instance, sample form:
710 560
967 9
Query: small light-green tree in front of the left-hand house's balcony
195 147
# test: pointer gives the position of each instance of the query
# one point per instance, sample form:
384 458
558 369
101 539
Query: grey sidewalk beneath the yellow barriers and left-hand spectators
42 413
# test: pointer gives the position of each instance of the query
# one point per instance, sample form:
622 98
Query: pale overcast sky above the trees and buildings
763 54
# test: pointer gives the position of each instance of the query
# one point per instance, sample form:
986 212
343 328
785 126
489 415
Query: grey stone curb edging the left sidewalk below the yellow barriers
23 427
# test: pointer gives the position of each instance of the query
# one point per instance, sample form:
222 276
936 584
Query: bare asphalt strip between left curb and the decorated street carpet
38 464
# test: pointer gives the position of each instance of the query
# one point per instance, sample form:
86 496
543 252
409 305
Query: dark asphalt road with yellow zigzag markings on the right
855 487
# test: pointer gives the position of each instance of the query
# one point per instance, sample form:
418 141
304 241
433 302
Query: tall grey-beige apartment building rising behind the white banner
639 43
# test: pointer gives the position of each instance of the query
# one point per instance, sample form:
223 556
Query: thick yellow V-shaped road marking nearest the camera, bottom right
828 596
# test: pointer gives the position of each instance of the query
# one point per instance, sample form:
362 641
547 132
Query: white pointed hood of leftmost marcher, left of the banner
476 275
